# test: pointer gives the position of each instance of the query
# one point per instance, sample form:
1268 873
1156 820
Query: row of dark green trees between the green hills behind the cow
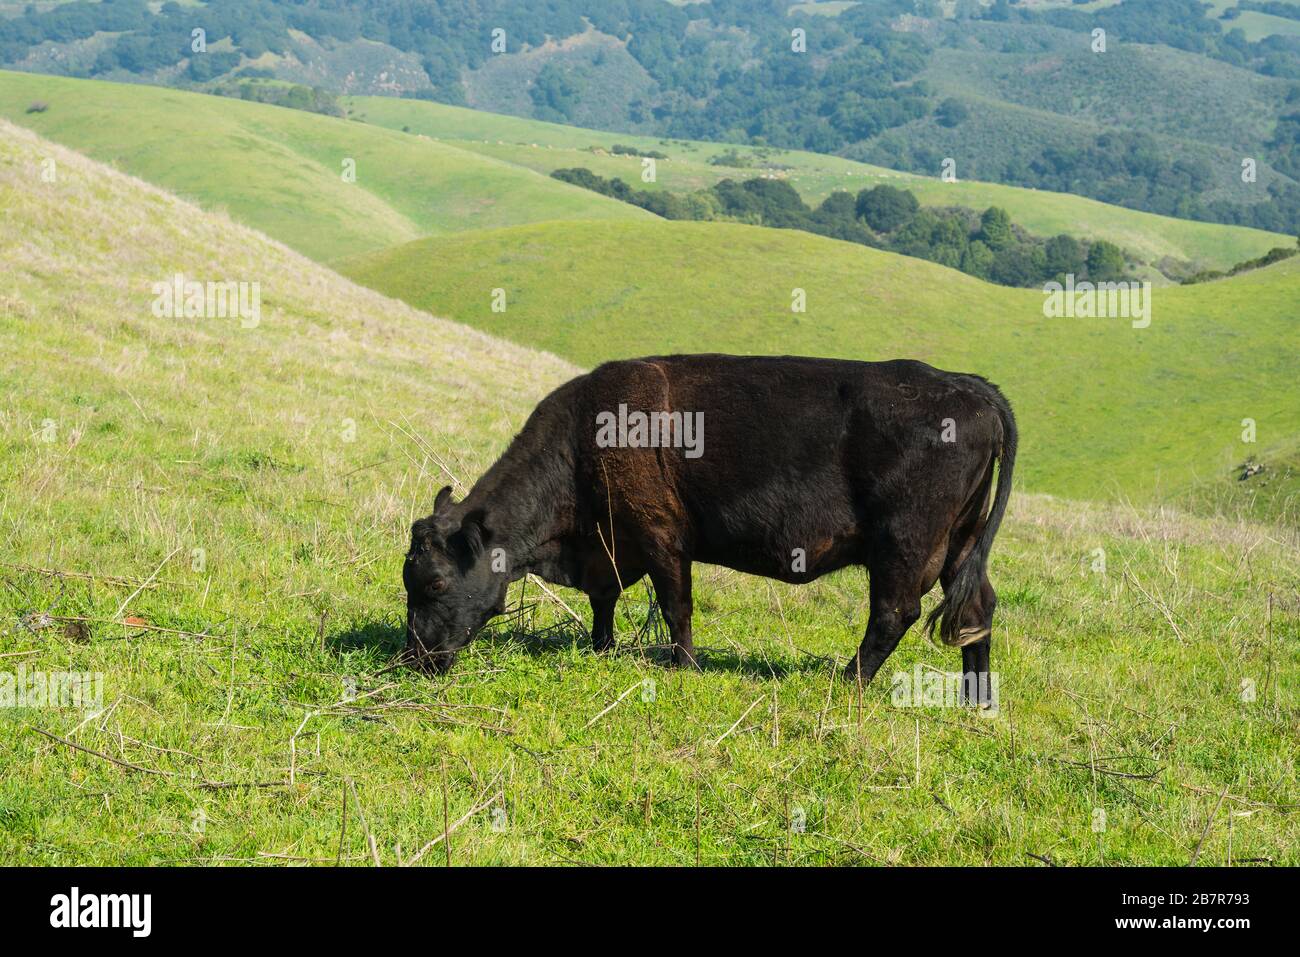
986 245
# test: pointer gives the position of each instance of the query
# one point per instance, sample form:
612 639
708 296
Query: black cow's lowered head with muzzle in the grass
452 587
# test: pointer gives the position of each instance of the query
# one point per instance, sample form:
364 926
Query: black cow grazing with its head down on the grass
785 467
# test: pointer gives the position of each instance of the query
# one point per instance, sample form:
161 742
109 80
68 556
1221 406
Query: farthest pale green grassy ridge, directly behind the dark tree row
549 146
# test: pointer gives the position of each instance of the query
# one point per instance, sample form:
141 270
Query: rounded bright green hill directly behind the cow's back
1107 409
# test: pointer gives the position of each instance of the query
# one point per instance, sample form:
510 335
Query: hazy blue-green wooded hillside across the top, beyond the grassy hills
1159 120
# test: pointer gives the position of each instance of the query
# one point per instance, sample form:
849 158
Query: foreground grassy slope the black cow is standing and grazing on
179 435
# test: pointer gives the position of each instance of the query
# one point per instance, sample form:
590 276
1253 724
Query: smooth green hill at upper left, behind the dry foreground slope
281 171
